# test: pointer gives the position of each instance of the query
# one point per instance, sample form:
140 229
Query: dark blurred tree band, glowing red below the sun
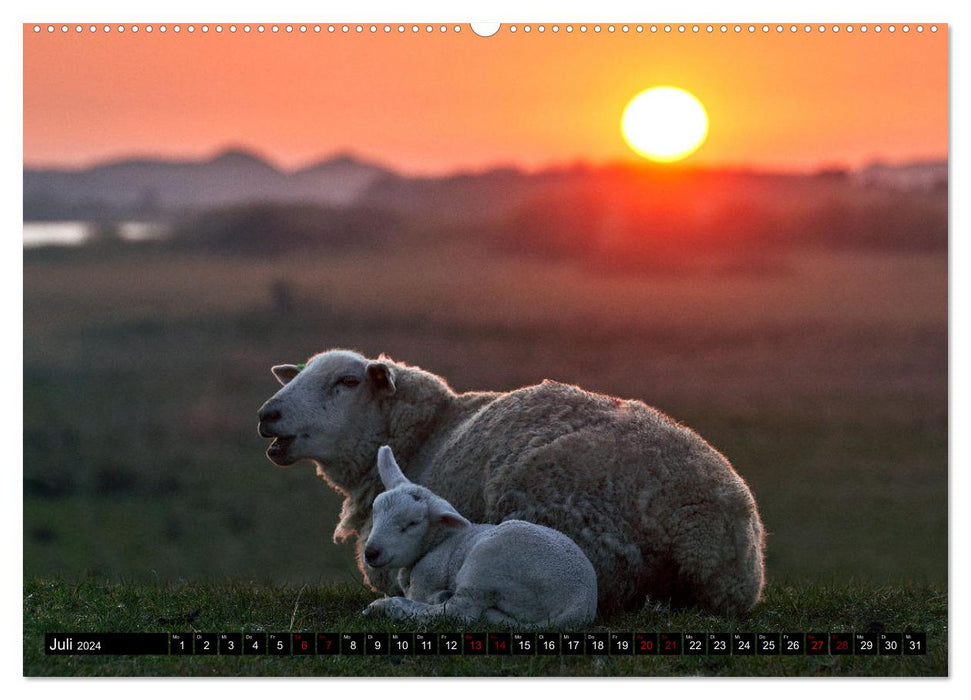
618 217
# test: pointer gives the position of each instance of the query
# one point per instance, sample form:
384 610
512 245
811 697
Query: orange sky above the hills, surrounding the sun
432 103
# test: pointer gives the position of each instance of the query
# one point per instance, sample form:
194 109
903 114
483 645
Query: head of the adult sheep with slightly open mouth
326 407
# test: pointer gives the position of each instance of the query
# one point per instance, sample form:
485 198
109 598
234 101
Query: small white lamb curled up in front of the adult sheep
516 573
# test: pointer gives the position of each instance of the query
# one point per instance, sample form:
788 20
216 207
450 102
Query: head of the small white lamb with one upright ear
403 518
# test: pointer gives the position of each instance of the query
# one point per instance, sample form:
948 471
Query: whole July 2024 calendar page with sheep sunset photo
511 349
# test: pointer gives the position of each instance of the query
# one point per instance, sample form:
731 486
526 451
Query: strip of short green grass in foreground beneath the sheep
93 605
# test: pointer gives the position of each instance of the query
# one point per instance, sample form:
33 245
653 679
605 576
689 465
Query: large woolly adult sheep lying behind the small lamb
657 510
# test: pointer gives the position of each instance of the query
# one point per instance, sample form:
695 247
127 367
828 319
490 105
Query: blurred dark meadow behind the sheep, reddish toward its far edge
823 378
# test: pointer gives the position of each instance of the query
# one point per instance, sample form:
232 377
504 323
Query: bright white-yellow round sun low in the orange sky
664 124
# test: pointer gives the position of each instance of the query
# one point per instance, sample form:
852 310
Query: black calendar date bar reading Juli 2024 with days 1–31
384 644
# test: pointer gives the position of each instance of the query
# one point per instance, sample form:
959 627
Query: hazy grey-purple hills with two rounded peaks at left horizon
149 187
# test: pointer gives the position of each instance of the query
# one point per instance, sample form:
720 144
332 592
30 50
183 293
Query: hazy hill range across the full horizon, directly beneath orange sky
153 187
